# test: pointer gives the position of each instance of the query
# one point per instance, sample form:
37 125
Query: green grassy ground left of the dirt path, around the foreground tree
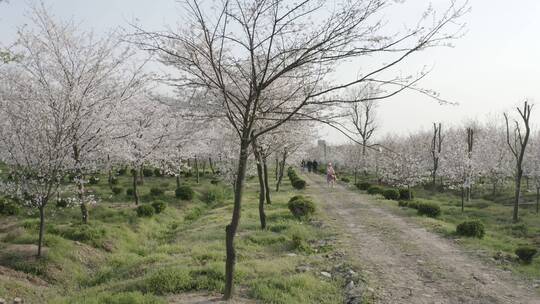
121 258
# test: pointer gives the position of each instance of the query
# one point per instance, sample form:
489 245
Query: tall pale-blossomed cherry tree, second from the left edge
91 78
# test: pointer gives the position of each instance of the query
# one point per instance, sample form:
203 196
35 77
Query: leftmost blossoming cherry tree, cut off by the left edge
35 140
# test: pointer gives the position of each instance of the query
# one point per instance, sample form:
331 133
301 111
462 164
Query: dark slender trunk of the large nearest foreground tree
230 230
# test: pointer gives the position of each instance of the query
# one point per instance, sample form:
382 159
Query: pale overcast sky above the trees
494 67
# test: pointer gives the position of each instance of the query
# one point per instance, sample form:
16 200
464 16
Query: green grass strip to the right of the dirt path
502 236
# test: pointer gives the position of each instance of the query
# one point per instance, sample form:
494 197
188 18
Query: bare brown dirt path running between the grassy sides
407 263
